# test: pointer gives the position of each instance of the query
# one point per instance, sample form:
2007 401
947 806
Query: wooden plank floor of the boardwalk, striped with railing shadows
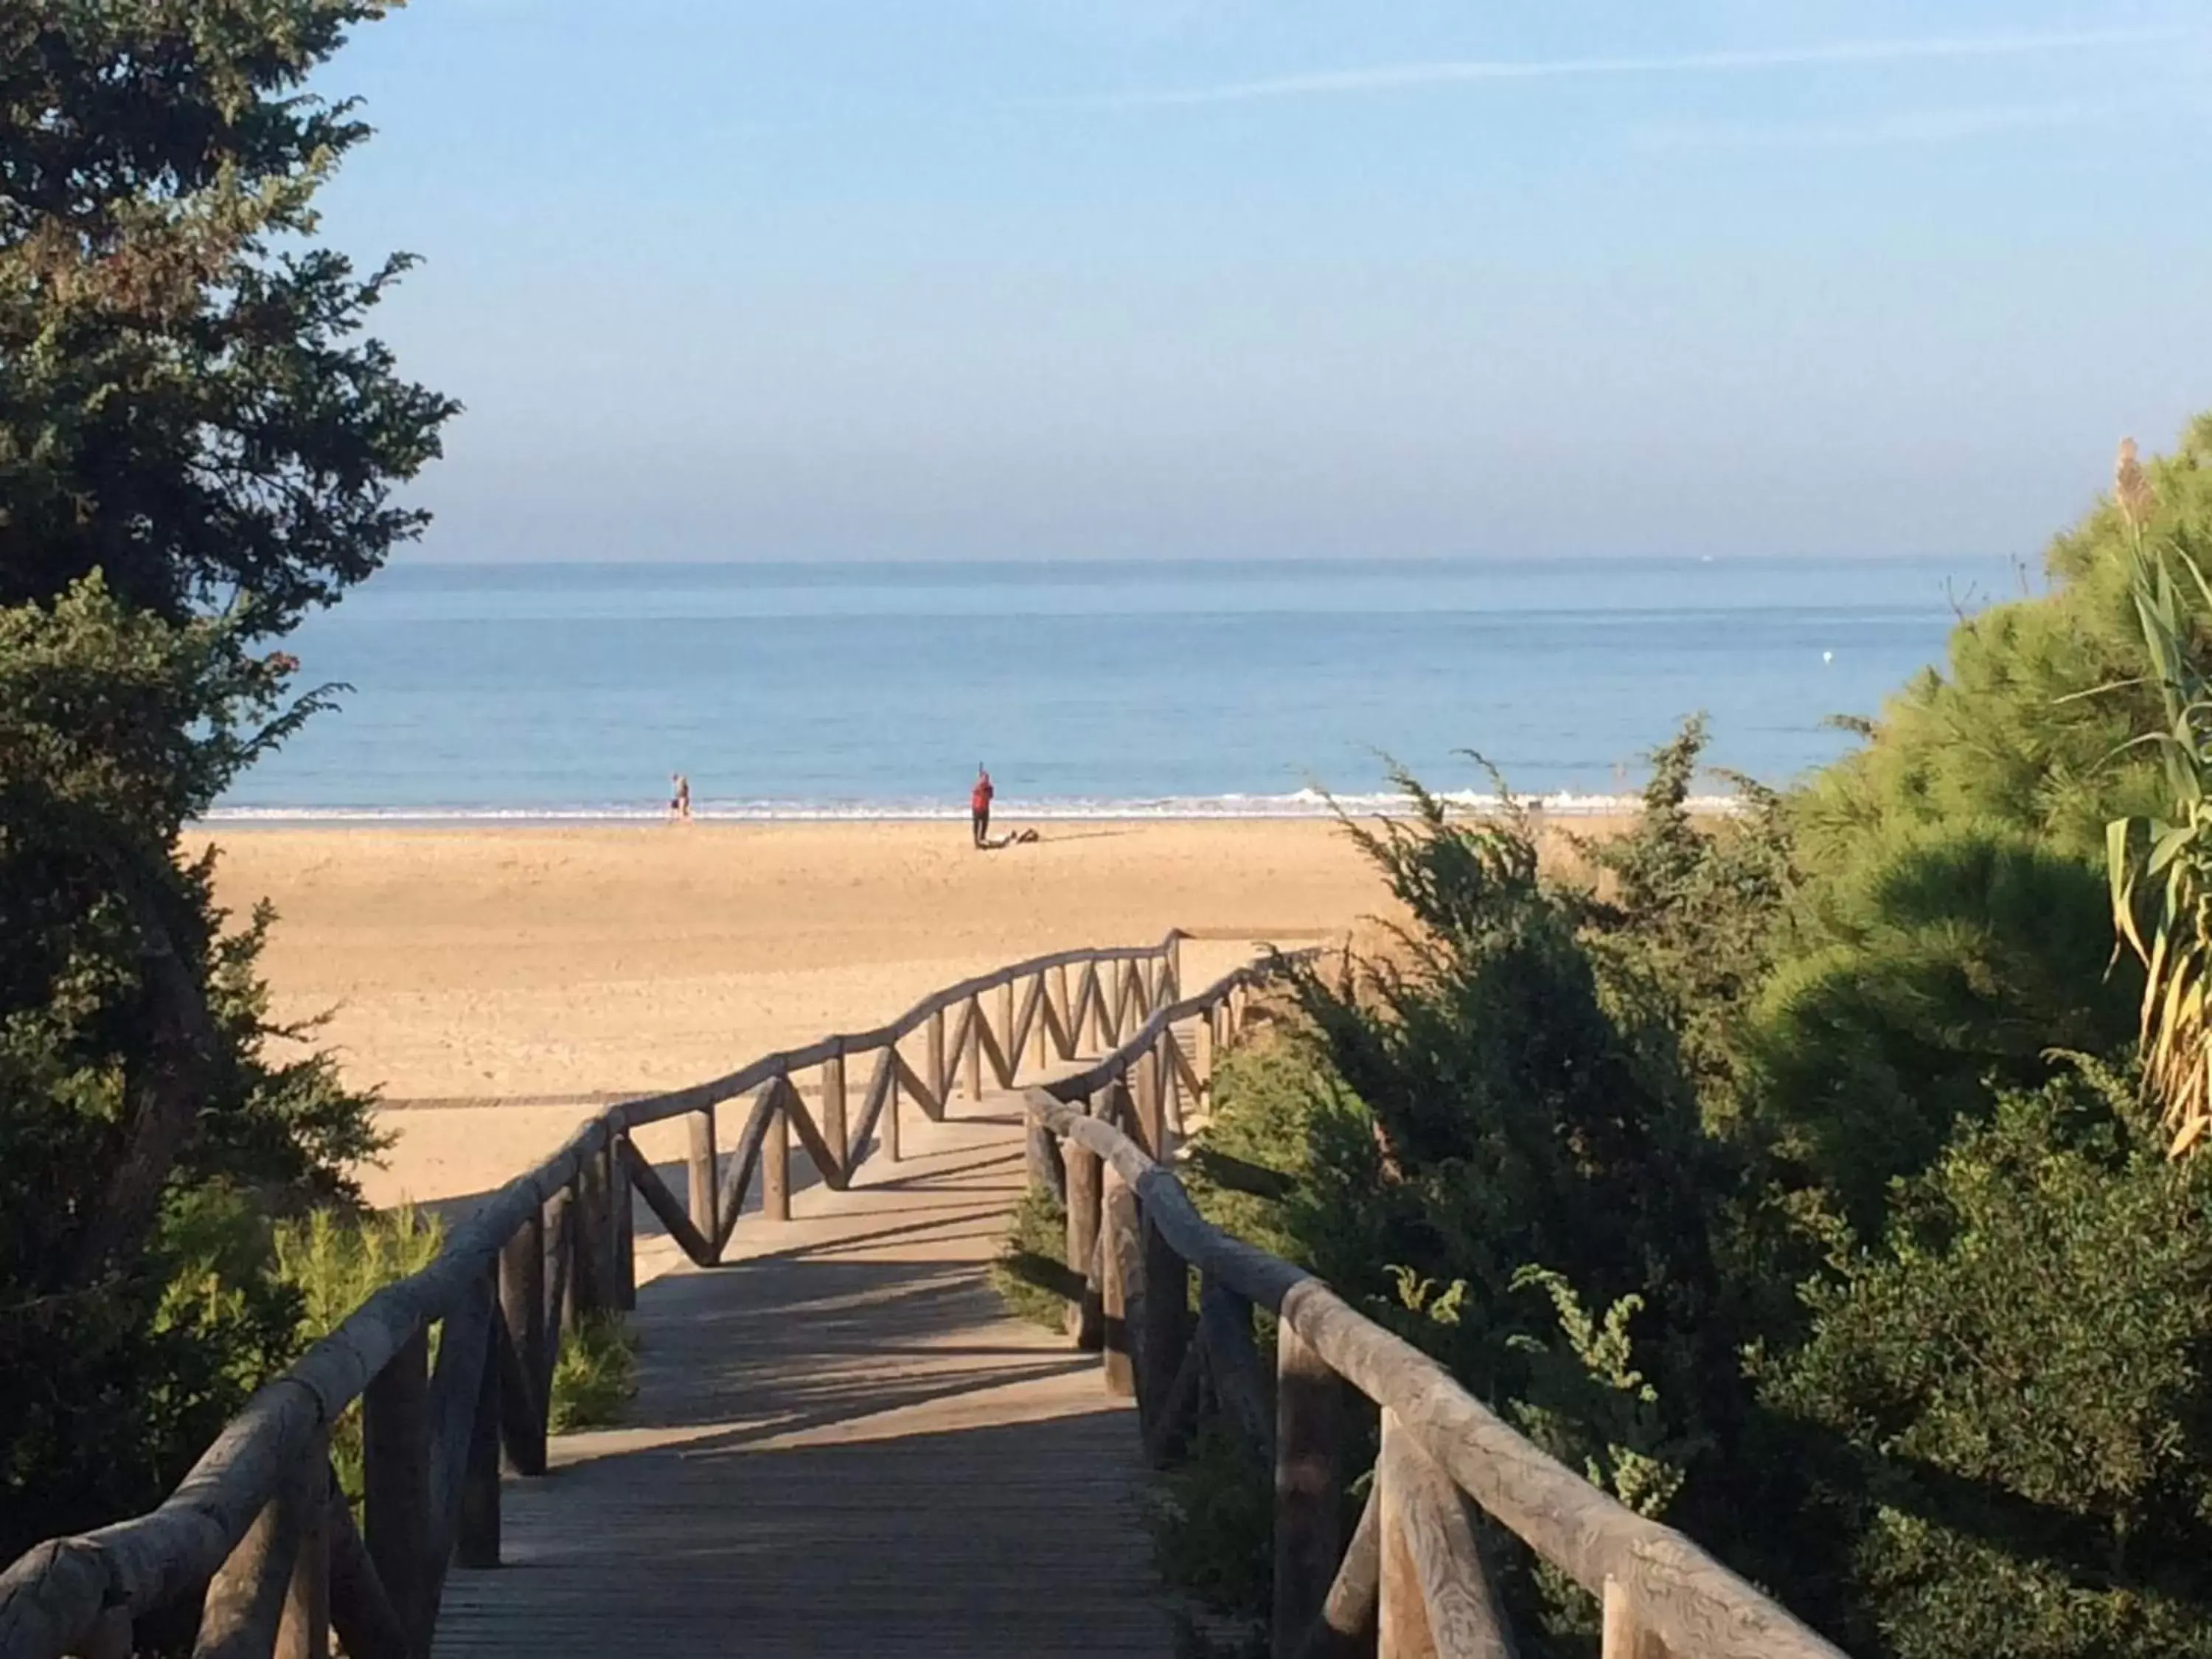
844 1448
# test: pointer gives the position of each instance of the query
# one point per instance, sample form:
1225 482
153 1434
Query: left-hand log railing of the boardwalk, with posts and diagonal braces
260 1532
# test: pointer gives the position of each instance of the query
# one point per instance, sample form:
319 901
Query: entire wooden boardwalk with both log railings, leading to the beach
842 1446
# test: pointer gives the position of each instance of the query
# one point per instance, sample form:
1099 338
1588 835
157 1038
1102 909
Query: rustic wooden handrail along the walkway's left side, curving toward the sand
547 1249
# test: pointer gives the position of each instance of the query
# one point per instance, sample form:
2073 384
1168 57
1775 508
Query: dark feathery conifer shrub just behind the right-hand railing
1501 1107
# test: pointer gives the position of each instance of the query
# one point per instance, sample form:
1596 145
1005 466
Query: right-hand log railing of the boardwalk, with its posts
1412 1578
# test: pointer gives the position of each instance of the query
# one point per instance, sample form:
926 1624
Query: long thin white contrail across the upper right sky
1503 70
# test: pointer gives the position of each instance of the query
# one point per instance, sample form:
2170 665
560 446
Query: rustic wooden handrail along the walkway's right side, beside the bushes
1662 1594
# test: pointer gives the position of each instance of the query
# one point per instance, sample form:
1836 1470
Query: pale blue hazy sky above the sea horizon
1233 280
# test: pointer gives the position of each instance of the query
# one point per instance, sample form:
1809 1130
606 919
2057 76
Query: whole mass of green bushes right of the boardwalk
1795 1178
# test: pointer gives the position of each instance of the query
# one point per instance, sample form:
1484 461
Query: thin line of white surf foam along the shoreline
1302 804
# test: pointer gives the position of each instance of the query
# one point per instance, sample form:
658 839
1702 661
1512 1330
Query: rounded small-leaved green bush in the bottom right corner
2016 1392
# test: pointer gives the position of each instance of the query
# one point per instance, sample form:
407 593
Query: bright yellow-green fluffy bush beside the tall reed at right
1952 921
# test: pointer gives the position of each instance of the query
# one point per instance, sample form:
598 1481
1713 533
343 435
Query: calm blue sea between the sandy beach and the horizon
1087 687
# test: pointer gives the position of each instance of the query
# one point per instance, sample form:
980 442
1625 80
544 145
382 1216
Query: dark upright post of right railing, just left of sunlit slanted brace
1308 1488
